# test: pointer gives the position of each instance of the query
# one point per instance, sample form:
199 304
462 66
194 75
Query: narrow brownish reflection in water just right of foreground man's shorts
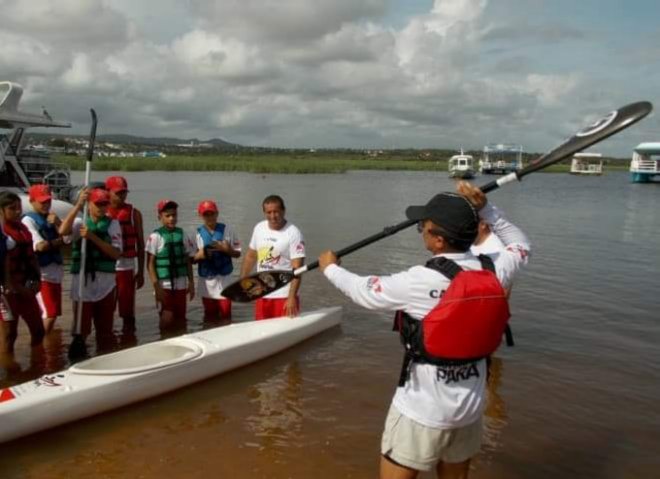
495 417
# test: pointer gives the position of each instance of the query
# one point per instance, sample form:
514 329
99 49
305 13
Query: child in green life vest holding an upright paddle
104 245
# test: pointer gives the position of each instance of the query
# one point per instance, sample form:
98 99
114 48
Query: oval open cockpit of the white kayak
140 359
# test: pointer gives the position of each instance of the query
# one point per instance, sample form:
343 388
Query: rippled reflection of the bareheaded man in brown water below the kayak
278 420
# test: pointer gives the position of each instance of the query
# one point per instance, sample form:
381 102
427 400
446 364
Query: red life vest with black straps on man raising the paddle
466 325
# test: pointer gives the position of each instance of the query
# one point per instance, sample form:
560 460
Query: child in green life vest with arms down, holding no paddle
169 262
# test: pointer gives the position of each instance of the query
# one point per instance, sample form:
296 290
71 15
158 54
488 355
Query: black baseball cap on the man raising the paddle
453 213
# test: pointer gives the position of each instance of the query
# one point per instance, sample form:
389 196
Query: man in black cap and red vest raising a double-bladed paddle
434 422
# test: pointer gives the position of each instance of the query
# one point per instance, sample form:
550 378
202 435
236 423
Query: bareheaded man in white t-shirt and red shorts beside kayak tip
276 244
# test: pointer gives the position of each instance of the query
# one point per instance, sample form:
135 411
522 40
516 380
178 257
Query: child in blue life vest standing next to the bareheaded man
217 244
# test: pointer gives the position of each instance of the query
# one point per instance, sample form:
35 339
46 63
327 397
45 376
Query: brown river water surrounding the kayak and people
576 397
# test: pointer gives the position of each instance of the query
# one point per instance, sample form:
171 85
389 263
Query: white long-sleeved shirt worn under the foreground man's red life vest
434 396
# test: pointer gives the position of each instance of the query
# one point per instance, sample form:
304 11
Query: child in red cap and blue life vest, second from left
43 225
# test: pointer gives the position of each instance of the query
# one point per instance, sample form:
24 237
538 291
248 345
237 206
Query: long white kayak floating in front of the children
113 380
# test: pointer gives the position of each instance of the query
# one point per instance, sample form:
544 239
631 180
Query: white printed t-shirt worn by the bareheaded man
275 250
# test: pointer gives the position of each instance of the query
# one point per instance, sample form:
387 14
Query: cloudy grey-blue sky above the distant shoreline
338 73
